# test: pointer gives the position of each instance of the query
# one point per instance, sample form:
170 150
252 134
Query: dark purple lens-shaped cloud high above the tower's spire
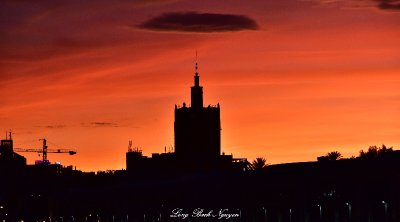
199 22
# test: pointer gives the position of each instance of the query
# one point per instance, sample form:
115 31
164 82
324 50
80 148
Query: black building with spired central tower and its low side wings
197 148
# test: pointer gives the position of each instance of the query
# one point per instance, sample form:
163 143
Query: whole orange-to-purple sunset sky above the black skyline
295 79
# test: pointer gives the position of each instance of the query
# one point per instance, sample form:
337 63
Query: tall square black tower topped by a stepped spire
197 128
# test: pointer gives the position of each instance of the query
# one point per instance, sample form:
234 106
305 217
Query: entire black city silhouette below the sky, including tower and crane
196 182
